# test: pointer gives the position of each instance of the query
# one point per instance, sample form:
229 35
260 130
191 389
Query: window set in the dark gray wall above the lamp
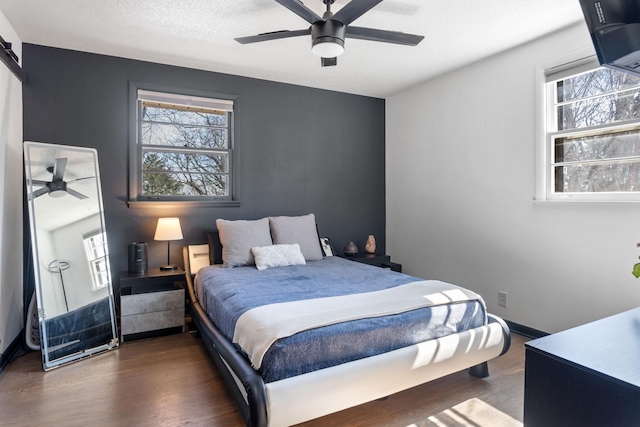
182 150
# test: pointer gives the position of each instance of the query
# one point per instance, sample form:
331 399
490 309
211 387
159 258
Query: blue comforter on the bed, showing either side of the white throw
226 293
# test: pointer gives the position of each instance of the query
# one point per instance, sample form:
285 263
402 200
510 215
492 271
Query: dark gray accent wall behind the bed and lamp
299 149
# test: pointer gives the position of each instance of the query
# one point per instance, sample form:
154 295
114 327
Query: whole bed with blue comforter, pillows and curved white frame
362 333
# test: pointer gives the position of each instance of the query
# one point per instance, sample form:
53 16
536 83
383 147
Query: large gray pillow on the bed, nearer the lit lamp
238 237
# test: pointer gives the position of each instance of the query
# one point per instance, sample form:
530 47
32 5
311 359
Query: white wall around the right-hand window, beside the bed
460 177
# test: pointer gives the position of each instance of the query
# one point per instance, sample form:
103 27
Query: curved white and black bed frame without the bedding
315 394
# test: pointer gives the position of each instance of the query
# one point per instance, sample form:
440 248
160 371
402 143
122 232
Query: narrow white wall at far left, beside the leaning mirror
10 195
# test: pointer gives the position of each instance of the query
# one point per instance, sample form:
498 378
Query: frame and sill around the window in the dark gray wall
139 92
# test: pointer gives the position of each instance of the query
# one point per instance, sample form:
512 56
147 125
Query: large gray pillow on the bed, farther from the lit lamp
297 229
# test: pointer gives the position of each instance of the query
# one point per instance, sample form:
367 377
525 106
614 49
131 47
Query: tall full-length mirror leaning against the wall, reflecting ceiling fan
76 315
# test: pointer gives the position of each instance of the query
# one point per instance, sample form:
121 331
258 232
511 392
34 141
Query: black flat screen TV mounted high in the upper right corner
614 26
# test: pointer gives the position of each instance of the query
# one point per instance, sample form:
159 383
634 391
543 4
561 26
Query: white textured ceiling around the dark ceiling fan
200 34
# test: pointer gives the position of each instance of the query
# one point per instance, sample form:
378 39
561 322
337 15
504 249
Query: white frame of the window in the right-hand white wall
547 75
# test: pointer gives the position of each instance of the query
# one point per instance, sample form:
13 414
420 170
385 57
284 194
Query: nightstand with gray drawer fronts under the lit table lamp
151 303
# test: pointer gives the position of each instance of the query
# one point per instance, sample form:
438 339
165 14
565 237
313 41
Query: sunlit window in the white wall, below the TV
593 135
